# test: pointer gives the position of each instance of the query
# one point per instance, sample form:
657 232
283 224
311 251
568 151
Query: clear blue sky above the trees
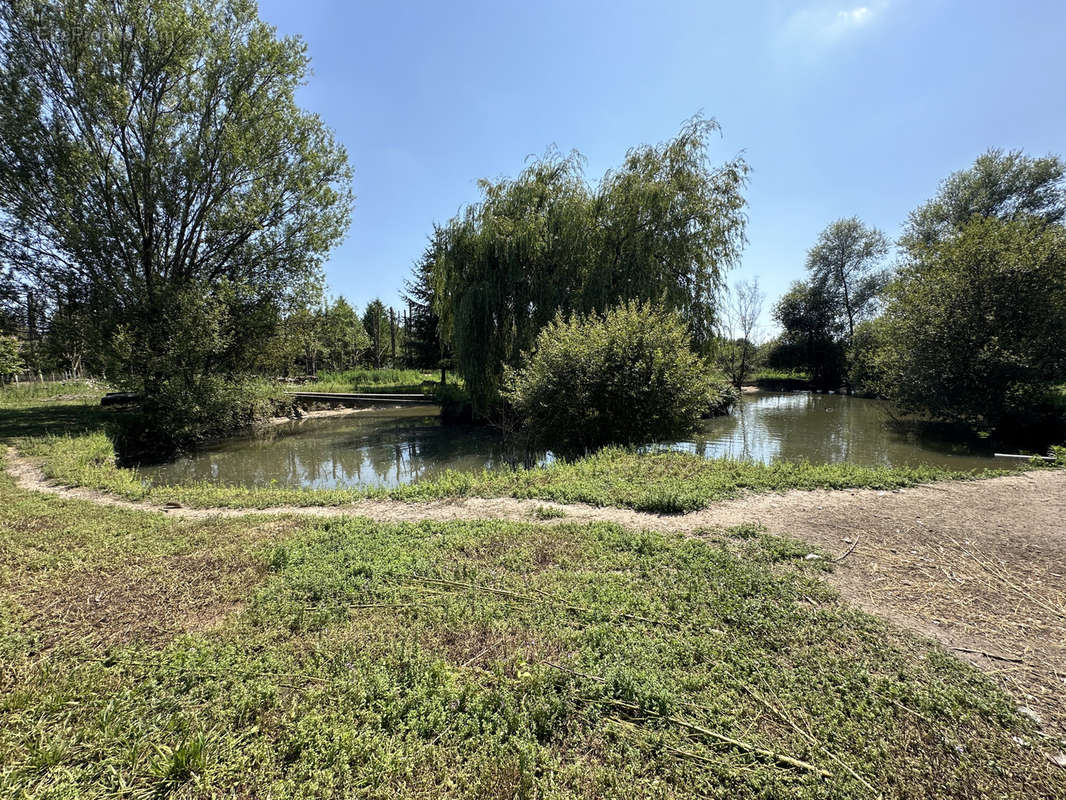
841 108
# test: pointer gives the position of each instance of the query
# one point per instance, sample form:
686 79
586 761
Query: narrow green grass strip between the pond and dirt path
657 483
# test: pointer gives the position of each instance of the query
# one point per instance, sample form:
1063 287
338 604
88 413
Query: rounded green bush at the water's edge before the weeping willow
629 377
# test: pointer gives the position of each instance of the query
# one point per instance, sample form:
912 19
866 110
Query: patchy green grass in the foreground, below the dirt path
477 660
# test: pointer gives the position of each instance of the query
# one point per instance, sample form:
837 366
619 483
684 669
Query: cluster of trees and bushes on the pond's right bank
968 326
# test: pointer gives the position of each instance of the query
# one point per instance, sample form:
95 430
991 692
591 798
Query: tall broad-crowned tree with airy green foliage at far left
157 166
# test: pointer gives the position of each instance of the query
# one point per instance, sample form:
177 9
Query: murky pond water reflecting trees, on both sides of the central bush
387 447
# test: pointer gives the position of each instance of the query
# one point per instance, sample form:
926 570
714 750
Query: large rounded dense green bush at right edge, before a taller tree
975 327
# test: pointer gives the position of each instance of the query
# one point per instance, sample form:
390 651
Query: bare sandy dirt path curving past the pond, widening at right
980 566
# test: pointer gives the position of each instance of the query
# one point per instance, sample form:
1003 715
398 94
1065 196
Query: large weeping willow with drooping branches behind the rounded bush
664 229
